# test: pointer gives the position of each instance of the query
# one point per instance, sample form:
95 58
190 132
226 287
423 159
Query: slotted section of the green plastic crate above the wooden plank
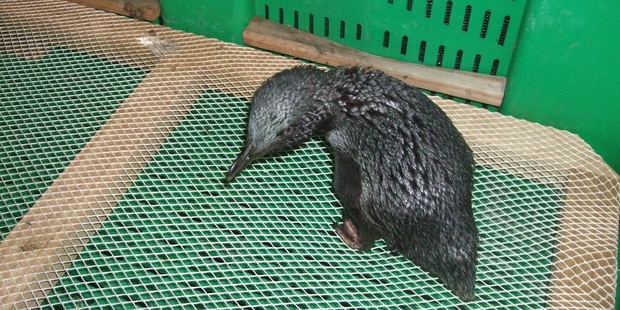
475 36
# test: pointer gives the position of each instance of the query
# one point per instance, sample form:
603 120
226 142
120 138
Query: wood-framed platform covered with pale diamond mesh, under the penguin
115 138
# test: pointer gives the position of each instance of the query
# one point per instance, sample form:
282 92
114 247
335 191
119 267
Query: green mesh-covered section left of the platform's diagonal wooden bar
49 109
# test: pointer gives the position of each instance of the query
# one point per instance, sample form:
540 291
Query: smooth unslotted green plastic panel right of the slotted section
565 72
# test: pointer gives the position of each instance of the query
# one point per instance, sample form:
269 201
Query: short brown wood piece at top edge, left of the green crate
139 9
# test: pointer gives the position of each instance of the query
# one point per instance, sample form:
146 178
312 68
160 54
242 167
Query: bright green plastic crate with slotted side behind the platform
558 56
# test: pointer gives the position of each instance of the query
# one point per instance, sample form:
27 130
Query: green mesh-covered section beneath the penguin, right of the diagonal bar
181 238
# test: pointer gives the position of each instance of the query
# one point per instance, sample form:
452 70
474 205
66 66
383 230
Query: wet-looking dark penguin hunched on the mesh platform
402 170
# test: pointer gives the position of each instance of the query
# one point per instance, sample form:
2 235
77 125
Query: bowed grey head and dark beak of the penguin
286 111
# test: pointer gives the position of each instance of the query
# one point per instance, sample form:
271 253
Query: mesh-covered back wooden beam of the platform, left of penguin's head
126 41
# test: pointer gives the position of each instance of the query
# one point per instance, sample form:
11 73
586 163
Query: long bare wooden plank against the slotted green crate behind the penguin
283 39
